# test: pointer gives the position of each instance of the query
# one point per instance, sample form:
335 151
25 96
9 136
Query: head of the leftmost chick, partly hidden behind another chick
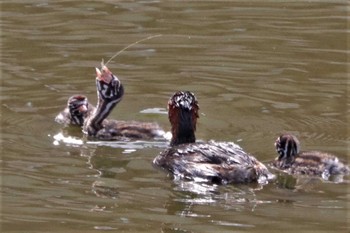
78 107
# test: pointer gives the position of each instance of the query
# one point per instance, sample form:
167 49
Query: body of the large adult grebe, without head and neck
216 162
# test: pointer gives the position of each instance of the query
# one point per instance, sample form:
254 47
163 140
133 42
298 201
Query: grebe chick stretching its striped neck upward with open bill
110 92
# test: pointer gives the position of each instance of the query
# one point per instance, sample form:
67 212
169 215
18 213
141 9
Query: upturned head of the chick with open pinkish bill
109 88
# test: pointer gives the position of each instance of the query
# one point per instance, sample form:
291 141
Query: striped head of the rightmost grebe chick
287 146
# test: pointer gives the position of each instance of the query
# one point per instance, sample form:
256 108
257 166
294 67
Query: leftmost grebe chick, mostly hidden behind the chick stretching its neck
77 110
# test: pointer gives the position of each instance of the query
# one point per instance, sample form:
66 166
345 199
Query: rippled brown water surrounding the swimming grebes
258 69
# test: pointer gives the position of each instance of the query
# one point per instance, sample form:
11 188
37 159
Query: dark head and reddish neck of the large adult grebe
183 113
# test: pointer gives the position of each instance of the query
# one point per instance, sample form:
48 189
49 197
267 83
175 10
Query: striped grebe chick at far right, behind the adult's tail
315 163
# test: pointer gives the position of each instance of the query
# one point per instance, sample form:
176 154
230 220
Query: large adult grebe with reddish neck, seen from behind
217 162
